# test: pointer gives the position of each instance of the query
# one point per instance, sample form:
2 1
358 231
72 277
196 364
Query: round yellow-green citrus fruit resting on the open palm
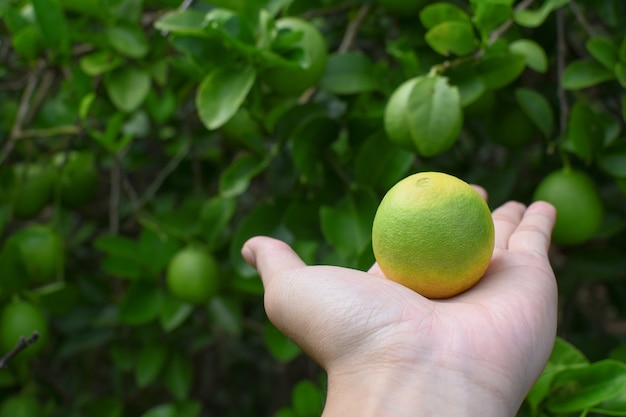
433 233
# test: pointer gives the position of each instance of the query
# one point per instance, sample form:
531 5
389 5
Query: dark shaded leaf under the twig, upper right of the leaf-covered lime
499 70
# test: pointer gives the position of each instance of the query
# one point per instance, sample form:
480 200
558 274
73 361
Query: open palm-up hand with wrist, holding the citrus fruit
390 352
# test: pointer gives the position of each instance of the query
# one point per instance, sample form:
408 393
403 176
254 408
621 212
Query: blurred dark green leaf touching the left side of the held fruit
348 225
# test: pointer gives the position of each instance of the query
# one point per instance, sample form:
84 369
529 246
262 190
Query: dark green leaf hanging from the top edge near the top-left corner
52 24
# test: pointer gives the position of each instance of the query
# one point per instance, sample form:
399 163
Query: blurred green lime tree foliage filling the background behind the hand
134 130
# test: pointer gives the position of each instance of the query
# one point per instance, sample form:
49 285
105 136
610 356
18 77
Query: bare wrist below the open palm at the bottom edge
413 393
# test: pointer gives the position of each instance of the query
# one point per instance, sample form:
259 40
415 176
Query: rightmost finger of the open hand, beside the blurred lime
534 231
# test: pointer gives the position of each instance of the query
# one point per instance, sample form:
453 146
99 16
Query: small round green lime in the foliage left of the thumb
193 276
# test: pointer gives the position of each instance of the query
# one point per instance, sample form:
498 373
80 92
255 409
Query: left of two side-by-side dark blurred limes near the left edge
32 189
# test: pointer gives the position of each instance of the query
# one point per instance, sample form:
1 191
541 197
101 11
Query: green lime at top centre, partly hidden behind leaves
294 80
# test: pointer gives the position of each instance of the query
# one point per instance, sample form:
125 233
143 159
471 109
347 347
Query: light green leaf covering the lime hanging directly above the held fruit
435 115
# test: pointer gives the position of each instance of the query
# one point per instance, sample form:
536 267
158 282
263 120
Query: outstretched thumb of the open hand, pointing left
270 257
